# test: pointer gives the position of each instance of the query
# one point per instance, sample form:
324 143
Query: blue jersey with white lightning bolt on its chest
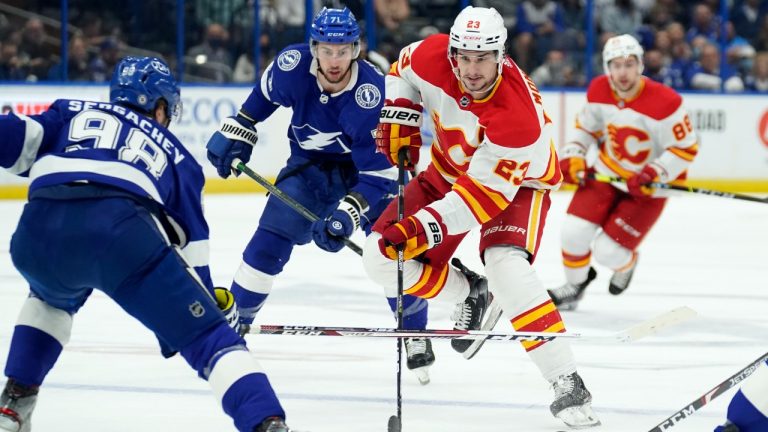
328 127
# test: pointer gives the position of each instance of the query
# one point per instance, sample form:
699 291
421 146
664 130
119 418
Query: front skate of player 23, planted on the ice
573 402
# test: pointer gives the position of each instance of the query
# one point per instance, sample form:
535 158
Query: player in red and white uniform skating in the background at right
641 133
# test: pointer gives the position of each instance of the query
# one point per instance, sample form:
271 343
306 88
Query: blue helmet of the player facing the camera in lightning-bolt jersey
336 26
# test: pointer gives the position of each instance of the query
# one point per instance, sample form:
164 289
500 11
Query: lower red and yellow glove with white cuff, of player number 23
415 234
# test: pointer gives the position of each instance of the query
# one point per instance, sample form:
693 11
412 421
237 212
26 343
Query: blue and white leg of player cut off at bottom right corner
748 410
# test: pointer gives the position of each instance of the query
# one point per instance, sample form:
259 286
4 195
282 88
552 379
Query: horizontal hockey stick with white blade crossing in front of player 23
630 334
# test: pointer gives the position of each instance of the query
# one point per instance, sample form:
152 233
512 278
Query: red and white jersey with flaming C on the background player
651 128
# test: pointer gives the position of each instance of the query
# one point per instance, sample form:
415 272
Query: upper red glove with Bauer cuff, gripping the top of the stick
399 128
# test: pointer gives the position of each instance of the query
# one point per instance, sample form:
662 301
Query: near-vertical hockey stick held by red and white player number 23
396 422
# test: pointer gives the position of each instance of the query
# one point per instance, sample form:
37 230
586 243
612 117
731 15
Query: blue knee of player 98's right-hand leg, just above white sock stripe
205 350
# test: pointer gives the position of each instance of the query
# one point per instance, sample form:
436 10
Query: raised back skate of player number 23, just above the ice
476 312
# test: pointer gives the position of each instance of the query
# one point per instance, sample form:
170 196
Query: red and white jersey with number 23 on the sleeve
486 149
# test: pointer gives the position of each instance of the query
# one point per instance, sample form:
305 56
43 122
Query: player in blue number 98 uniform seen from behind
115 204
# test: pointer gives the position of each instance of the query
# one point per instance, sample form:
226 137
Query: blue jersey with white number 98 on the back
76 141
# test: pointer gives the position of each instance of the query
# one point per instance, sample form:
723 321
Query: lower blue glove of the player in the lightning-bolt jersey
329 233
